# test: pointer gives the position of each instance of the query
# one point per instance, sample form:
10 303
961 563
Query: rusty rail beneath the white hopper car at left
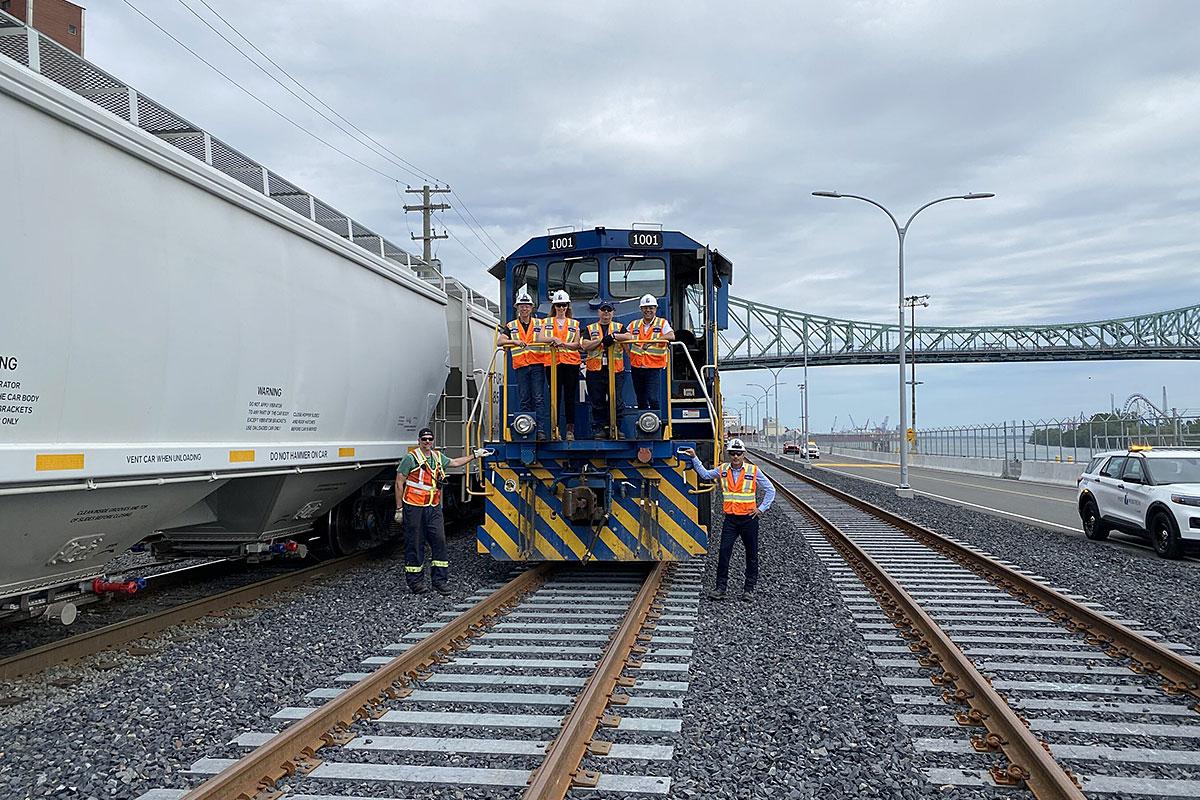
111 636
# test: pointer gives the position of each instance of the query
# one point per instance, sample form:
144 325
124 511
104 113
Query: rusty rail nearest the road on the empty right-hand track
1180 676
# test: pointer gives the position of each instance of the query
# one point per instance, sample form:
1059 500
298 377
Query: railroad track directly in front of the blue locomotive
536 689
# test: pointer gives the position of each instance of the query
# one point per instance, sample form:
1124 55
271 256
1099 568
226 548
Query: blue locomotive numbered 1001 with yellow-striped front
615 491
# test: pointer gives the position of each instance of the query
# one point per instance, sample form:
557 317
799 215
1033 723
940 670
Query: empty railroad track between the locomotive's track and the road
1004 679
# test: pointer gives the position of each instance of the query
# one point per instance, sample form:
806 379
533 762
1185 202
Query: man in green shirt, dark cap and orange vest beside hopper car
419 479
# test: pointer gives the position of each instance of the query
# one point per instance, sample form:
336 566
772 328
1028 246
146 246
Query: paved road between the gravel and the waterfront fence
1037 504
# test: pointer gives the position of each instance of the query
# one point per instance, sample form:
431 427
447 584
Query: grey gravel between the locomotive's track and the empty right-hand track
785 701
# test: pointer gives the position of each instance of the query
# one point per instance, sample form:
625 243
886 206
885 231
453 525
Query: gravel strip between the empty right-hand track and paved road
1131 581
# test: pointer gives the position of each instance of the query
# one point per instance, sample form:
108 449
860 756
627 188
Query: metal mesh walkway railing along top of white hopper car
32 50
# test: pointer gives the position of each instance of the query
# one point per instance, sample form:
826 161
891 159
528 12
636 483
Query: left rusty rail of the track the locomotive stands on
293 750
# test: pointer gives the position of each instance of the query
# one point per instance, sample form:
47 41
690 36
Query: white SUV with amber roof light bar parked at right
1150 492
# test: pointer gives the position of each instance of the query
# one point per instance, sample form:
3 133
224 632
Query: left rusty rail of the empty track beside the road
1029 760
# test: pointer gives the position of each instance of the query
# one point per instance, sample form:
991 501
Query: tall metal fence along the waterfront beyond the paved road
1063 440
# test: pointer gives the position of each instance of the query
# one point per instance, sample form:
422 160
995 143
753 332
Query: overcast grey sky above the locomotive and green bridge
1082 117
